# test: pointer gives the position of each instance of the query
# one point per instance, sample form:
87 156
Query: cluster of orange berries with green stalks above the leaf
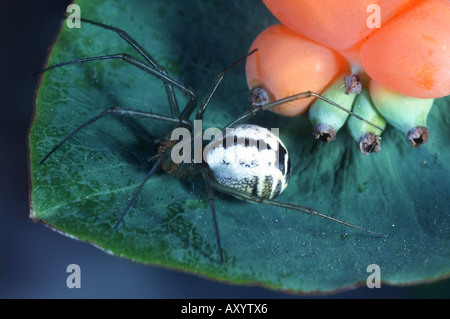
384 60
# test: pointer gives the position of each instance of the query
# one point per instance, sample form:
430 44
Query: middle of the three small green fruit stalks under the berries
365 134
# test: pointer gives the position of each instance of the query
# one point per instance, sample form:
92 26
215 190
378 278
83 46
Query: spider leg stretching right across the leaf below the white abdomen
303 209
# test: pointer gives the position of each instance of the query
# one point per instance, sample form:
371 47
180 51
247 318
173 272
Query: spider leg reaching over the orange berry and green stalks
298 96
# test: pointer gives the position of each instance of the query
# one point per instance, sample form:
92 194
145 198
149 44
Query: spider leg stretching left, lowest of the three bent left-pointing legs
113 110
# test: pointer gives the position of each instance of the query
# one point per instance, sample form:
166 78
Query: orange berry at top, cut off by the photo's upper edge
338 24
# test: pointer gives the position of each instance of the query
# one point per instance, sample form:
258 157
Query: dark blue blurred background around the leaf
33 258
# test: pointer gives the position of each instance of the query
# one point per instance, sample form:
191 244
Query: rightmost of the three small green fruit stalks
407 114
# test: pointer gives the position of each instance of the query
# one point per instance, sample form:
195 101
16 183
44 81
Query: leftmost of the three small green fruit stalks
327 119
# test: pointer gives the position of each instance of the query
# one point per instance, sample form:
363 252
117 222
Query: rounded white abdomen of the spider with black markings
251 159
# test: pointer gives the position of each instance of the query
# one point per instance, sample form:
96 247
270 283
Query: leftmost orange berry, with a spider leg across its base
287 63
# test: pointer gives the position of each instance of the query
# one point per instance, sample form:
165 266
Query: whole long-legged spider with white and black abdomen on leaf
248 162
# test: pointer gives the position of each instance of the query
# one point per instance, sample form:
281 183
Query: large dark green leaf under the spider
83 187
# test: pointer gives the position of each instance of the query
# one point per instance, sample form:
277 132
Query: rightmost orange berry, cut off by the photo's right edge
411 53
